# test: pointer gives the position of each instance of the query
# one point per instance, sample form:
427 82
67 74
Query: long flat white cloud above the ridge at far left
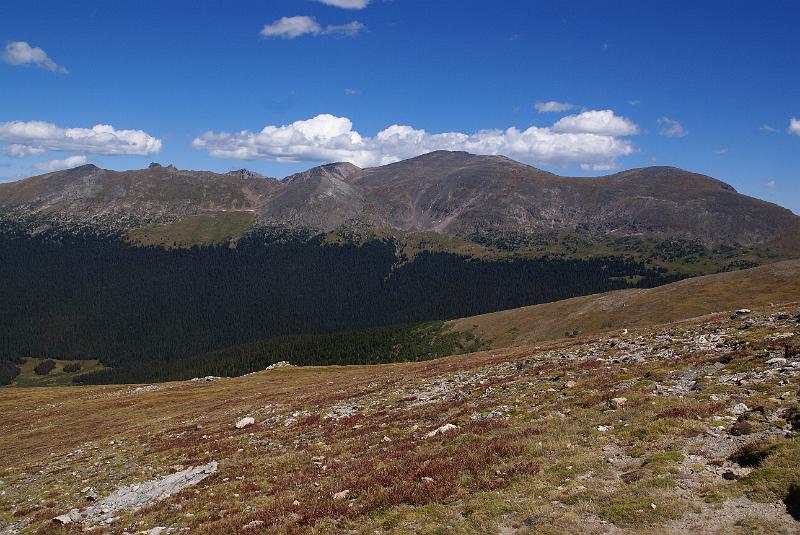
100 139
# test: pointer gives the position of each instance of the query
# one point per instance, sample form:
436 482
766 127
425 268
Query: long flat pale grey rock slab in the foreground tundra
138 495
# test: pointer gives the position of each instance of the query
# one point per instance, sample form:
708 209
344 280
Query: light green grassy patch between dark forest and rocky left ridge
205 229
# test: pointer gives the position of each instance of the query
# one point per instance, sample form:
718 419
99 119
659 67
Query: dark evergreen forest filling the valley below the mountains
75 295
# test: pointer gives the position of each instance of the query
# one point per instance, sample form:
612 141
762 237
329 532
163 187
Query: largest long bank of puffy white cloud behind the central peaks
328 138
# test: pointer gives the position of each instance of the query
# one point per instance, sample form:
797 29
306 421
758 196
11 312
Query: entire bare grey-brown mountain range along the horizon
451 193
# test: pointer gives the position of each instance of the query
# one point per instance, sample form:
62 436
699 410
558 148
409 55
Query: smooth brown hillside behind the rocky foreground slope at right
772 283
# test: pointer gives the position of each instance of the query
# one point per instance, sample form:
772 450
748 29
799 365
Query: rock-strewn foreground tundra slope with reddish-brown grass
541 464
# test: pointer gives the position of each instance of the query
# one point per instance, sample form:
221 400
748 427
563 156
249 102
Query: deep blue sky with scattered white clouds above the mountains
707 86
